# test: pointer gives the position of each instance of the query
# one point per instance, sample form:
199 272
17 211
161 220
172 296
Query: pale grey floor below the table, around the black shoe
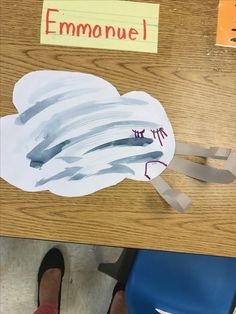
84 290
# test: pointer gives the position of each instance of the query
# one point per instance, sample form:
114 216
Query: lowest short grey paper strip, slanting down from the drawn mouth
174 198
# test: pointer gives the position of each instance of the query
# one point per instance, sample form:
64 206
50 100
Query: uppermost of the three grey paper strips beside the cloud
196 150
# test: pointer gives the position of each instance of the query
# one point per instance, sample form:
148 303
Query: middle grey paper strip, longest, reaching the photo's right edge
204 172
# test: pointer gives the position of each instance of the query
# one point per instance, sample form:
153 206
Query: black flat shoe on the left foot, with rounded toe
53 259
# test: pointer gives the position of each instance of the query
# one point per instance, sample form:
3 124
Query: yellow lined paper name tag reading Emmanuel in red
118 25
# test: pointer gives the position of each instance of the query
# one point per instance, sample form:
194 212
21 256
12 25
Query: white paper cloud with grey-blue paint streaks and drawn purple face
74 135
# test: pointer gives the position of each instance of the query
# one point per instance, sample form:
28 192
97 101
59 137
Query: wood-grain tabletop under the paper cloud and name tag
194 80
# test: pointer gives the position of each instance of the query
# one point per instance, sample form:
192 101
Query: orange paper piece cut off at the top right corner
226 29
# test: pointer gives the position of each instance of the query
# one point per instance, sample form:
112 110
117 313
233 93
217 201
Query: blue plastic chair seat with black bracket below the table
177 283
